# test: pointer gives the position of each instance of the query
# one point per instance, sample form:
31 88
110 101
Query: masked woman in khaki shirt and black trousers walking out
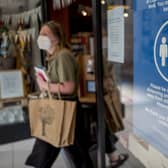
62 71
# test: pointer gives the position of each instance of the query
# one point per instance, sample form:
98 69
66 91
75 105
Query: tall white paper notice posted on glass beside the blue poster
116 34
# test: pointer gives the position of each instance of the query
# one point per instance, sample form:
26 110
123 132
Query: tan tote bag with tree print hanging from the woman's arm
53 120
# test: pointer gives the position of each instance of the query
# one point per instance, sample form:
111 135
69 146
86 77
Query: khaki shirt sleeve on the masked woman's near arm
66 67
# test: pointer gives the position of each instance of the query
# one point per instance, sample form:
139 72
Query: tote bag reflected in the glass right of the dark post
113 113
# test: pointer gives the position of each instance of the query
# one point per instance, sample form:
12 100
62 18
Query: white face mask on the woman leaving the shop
44 42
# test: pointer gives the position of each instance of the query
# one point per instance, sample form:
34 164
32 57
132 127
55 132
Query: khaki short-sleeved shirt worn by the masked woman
62 67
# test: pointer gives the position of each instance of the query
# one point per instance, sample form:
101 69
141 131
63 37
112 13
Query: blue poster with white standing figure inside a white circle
150 117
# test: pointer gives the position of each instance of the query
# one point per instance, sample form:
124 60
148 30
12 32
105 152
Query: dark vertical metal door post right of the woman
97 28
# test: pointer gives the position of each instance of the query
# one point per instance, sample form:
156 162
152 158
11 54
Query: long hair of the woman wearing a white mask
58 32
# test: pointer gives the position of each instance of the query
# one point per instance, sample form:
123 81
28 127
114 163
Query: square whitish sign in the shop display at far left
11 84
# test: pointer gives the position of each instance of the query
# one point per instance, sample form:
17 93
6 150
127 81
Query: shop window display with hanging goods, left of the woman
19 54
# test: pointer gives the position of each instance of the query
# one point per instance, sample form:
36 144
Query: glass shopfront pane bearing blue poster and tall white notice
141 74
